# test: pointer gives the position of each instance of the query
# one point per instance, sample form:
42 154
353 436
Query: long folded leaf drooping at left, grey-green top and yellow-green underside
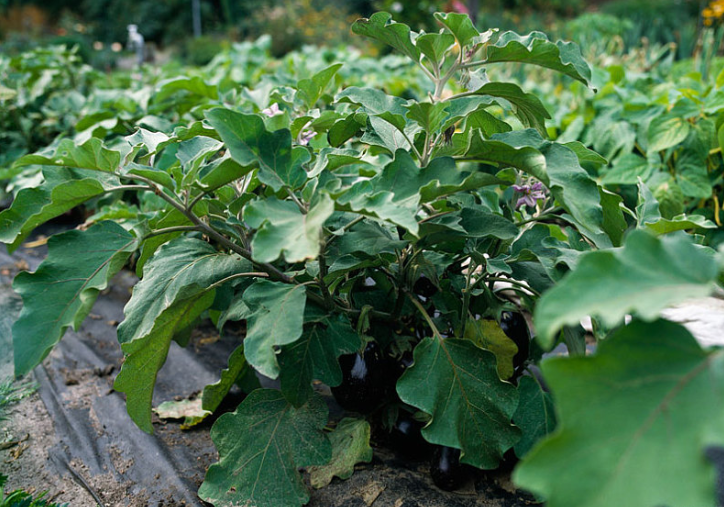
178 285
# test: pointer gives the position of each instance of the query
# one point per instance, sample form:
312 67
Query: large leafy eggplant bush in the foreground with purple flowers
343 221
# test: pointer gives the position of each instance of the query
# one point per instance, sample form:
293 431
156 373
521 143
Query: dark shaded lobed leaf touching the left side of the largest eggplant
314 356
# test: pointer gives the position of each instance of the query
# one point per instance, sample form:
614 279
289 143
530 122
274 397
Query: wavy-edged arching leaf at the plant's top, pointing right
536 49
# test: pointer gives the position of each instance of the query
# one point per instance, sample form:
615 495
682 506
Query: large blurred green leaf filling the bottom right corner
634 421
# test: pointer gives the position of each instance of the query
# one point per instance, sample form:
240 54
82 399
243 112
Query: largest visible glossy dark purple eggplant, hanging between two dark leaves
368 380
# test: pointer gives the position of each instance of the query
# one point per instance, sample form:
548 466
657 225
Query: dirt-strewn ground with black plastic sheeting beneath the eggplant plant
80 445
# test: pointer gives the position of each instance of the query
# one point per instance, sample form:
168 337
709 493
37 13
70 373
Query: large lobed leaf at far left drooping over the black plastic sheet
62 291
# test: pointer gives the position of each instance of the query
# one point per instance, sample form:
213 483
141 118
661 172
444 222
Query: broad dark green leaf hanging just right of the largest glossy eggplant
457 383
